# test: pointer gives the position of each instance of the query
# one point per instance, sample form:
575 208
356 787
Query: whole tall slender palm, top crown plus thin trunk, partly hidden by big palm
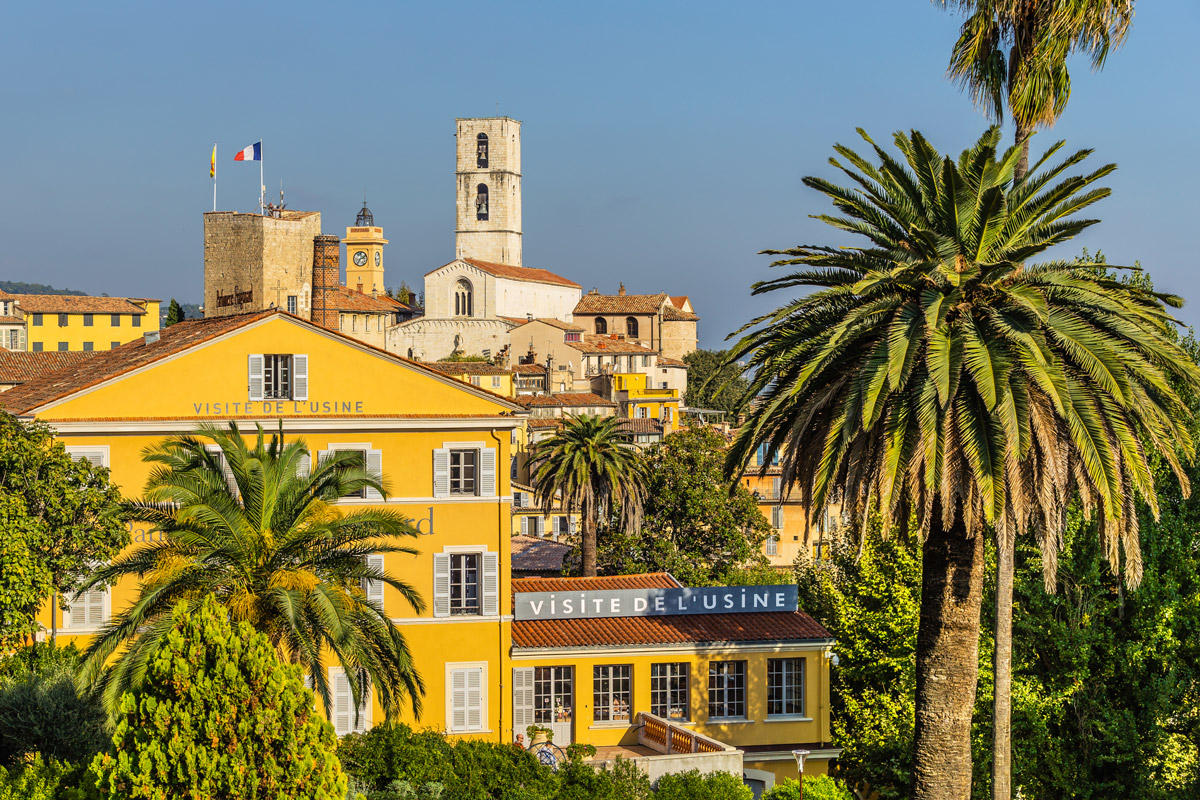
1035 83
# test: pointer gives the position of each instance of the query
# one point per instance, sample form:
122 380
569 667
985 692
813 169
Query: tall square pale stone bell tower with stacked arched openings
489 177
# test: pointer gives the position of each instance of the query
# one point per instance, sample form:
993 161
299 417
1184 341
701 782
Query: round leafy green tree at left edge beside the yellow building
64 516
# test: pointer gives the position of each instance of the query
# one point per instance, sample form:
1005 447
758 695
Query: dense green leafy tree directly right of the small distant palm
698 526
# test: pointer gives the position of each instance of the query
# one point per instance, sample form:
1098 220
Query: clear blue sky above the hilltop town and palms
664 143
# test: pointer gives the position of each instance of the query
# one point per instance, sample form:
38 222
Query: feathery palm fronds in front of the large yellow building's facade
256 528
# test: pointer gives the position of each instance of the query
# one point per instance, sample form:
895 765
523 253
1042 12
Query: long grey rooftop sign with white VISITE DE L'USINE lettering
655 603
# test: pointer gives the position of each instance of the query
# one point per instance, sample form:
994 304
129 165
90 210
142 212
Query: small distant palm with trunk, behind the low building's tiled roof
593 466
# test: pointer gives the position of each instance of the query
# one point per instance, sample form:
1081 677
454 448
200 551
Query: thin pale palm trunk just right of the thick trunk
1003 696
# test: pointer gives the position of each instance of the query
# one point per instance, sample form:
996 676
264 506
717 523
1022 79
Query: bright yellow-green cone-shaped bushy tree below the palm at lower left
220 719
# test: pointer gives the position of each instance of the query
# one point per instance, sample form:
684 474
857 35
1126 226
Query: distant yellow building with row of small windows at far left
79 323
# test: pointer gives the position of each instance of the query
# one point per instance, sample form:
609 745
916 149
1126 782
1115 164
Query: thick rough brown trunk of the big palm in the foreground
947 660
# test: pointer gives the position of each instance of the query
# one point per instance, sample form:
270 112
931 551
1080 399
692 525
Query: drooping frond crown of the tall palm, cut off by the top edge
1039 35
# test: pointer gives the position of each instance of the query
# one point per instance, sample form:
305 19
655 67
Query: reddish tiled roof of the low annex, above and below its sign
625 631
